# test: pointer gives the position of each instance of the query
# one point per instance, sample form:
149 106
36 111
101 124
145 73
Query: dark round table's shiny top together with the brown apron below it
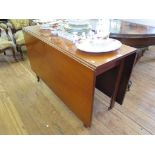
132 34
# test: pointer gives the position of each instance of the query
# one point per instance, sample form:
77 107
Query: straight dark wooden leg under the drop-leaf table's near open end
117 82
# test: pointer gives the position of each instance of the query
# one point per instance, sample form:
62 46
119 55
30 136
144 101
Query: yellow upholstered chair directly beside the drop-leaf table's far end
16 26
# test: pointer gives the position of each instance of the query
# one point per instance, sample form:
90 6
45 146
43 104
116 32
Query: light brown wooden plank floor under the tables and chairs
29 107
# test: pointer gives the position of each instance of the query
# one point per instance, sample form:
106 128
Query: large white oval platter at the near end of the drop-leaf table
99 46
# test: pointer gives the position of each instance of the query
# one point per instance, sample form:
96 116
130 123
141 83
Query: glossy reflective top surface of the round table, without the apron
126 29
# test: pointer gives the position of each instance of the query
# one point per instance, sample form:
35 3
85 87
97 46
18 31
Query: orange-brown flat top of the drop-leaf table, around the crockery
93 61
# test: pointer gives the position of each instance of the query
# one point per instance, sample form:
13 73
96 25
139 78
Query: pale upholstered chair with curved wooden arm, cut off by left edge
6 42
